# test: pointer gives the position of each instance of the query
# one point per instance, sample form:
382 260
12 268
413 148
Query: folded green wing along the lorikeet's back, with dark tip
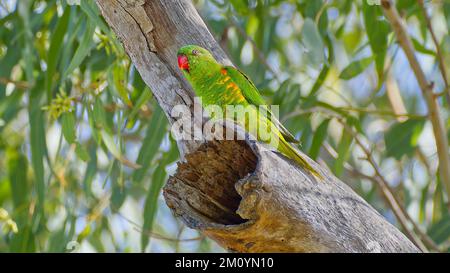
251 94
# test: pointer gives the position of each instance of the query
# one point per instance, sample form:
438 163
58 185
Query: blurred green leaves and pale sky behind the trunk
85 150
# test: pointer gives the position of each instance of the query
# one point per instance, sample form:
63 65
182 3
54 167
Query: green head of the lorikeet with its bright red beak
193 59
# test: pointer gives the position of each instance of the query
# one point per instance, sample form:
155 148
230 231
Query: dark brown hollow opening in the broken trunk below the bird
206 181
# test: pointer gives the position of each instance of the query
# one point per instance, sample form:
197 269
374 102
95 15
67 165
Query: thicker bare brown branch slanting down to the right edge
434 114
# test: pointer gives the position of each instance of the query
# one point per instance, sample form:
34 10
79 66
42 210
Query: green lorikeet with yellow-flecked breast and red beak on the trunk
221 85
